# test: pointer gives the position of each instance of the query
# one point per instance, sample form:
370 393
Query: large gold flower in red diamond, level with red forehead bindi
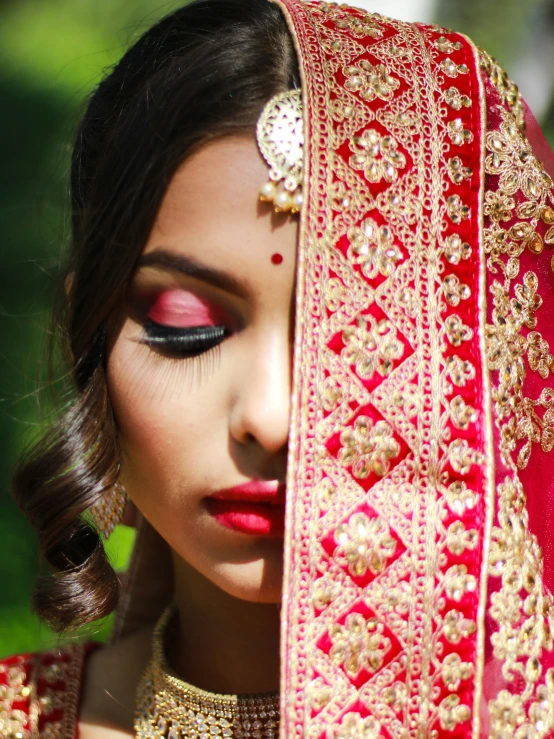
373 248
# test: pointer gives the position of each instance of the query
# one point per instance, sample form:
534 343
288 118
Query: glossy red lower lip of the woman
256 519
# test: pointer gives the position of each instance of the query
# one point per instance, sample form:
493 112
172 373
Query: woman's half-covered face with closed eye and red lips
200 373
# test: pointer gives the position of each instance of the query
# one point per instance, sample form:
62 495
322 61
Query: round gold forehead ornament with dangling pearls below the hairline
280 137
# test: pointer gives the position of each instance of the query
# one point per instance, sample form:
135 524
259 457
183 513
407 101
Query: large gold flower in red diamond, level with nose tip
368 448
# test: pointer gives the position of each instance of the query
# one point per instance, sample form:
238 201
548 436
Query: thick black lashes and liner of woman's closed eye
183 342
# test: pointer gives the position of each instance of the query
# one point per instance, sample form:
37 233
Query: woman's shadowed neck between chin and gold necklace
223 644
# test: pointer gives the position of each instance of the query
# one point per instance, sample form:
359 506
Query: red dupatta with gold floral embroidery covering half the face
416 600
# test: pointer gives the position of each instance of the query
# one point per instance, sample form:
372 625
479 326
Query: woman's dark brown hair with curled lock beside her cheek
203 72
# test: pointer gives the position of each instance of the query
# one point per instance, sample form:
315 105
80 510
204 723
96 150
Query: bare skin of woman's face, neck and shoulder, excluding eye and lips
192 427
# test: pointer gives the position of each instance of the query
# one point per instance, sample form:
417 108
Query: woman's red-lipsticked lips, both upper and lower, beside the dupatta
256 508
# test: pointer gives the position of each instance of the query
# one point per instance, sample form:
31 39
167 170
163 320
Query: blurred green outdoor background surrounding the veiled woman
52 53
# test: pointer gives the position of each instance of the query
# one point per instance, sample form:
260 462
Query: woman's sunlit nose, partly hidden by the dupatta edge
261 411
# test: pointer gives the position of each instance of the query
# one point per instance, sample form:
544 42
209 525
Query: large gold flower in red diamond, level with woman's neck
359 644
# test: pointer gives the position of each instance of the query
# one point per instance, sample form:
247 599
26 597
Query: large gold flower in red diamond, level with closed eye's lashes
372 346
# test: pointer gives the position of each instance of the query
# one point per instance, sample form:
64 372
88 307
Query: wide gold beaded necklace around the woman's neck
169 708
